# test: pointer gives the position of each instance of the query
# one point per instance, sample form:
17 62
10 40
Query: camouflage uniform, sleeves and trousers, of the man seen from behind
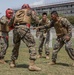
22 32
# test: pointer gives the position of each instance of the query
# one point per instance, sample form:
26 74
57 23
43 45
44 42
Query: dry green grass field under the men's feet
63 66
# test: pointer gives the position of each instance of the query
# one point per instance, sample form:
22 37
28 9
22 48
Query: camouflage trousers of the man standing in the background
44 40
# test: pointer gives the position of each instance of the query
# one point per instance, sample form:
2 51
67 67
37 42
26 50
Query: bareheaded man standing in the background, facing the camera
44 36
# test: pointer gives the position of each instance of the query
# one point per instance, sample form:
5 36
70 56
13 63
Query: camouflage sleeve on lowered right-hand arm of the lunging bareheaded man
68 25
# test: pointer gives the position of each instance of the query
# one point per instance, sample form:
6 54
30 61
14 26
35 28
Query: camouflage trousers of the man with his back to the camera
23 33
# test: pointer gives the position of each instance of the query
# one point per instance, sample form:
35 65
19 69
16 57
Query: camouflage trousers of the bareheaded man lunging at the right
58 45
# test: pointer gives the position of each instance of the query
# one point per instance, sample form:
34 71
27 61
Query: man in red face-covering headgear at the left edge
4 30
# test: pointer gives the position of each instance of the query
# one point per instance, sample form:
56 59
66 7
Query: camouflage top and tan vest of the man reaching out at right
62 26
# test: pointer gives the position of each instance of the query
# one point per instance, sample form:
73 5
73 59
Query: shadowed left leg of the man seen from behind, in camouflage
16 41
